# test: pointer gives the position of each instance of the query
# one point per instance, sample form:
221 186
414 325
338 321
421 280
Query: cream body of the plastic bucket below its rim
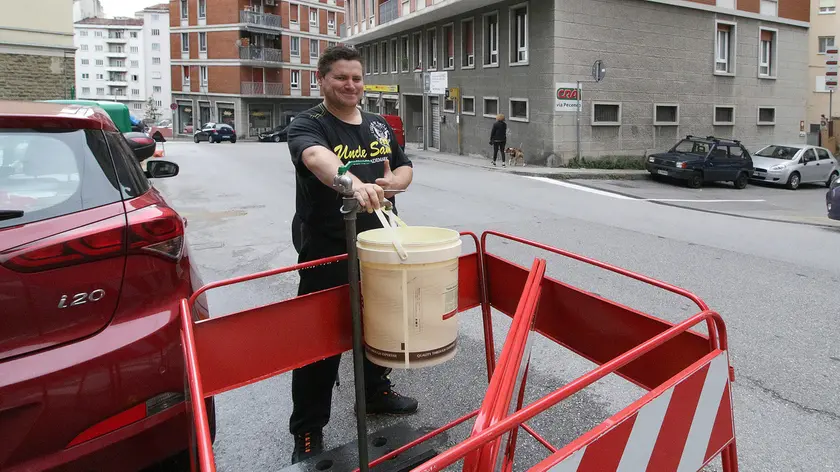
410 312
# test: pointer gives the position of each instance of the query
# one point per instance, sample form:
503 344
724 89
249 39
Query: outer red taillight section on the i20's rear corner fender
156 230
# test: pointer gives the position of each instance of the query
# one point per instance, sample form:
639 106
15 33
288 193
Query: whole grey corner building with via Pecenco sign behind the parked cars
706 67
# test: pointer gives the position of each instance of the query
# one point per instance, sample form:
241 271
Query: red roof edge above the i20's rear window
20 114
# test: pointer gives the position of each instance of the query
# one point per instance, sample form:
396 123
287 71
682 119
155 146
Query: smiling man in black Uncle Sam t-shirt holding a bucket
320 140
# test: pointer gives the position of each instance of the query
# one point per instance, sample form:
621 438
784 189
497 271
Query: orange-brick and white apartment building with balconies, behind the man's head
248 63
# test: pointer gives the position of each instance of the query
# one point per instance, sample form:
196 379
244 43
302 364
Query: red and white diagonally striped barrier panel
680 426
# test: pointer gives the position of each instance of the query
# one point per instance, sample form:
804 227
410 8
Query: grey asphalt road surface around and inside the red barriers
775 284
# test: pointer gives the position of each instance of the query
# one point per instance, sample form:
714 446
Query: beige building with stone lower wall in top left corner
36 51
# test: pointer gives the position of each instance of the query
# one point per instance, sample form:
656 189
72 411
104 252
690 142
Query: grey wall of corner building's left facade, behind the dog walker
533 82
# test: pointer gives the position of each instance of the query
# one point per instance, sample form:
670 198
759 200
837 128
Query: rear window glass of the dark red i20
46 174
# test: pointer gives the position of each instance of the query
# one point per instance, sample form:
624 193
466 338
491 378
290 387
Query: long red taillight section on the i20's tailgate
92 242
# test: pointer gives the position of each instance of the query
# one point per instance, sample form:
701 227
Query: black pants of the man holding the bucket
312 385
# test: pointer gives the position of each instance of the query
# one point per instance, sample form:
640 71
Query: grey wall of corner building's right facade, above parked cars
656 53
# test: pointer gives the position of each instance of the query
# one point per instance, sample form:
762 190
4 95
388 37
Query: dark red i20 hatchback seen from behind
93 264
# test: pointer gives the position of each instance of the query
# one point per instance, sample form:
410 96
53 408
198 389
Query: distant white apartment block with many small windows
109 61
